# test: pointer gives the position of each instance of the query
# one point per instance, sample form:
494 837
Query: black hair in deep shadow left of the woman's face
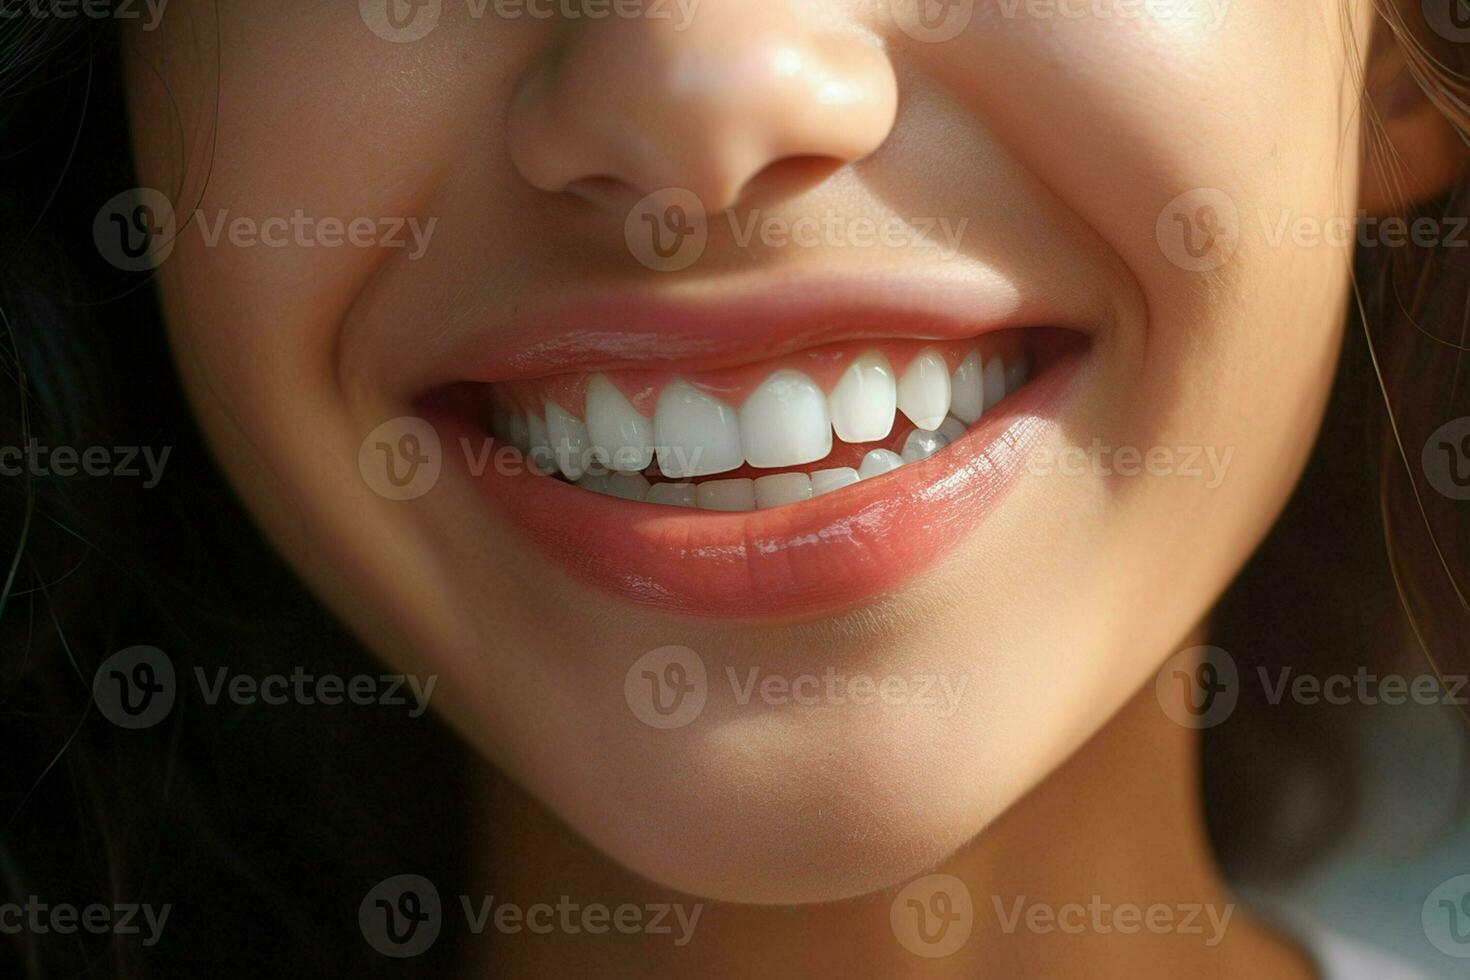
254 824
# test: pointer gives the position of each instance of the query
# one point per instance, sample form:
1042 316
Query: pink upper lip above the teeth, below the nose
731 327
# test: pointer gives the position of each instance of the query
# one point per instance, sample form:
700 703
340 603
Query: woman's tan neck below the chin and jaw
1103 871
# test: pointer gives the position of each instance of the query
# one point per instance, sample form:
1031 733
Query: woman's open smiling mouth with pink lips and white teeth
708 480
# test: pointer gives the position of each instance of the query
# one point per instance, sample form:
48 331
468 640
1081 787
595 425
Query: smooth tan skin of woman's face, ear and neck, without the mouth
1061 777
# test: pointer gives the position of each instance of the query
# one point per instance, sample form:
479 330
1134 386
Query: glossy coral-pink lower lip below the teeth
834 553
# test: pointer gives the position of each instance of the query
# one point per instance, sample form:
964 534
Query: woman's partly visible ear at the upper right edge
1412 154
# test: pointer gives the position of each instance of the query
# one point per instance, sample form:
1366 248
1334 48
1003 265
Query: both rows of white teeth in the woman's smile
786 422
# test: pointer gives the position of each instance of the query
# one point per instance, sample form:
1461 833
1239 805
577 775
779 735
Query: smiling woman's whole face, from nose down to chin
712 231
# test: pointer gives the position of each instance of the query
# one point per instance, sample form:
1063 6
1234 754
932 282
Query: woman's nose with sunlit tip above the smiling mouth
736 93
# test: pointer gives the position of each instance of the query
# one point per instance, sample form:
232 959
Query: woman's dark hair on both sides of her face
257 824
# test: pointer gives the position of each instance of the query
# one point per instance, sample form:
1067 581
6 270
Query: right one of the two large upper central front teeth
786 422
